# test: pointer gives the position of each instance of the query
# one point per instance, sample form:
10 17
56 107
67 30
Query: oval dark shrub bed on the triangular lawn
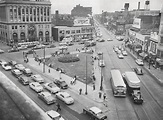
68 59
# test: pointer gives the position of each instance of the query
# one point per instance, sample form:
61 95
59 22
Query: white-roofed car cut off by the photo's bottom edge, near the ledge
54 115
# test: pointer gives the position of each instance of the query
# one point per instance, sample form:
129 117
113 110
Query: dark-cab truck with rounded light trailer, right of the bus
133 86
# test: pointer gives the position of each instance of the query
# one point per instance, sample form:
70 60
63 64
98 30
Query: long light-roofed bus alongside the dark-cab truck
117 83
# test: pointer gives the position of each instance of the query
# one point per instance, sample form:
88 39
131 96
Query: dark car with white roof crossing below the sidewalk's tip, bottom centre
95 113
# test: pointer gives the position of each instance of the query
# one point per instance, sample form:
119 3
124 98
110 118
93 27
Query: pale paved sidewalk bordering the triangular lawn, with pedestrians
92 95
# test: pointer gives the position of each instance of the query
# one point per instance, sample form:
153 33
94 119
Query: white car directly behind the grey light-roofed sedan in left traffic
36 86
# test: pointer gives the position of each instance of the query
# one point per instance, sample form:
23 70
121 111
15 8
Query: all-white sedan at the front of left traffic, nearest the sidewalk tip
65 97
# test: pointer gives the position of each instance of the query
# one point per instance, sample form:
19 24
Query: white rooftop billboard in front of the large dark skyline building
81 21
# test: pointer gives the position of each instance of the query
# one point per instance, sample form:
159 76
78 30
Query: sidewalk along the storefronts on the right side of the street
155 73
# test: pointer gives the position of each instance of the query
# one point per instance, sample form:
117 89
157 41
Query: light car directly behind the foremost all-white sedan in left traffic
51 87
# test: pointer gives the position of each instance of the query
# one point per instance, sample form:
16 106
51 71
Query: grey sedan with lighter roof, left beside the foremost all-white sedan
47 97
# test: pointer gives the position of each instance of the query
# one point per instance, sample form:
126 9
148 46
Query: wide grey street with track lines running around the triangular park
119 108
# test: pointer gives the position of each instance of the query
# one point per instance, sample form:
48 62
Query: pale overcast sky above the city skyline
65 6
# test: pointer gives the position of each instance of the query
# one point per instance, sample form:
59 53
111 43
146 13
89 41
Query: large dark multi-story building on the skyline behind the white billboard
81 11
